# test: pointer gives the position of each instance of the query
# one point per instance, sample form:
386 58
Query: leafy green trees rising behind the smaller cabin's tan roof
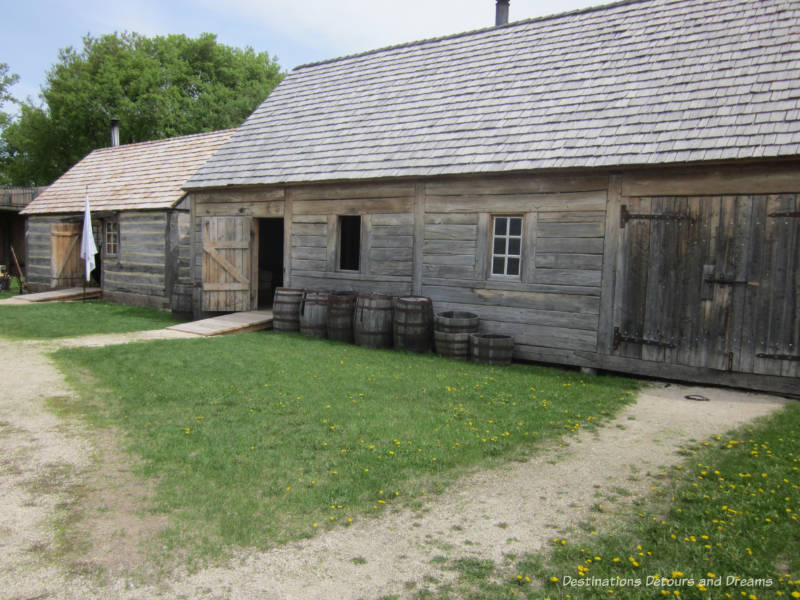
157 87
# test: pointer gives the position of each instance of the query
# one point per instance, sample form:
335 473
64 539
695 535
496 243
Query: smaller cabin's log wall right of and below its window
139 267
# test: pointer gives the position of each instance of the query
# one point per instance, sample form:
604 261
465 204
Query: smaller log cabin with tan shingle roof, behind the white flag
140 217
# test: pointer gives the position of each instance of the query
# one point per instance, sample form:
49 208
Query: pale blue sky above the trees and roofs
294 31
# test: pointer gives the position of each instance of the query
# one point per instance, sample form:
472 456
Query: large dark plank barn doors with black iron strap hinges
710 282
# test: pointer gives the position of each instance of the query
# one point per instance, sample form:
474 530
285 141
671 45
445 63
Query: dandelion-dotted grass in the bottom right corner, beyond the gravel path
724 524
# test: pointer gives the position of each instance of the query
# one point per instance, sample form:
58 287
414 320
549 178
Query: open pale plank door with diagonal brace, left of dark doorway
227 264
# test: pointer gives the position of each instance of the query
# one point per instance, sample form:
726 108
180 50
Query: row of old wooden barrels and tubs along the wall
380 321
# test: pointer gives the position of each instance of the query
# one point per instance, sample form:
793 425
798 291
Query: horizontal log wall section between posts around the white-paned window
552 310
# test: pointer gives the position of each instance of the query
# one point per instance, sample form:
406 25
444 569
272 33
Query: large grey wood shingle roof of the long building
634 83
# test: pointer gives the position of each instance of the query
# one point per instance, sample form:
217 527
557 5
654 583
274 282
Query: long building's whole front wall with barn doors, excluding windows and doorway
689 273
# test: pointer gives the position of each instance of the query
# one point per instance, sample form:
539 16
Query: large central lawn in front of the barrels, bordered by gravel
261 438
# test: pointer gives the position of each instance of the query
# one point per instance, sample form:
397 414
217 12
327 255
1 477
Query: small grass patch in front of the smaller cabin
65 319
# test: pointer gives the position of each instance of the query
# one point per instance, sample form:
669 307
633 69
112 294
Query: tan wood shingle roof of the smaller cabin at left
142 176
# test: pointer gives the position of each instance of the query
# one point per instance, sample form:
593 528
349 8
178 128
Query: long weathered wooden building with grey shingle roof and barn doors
617 188
